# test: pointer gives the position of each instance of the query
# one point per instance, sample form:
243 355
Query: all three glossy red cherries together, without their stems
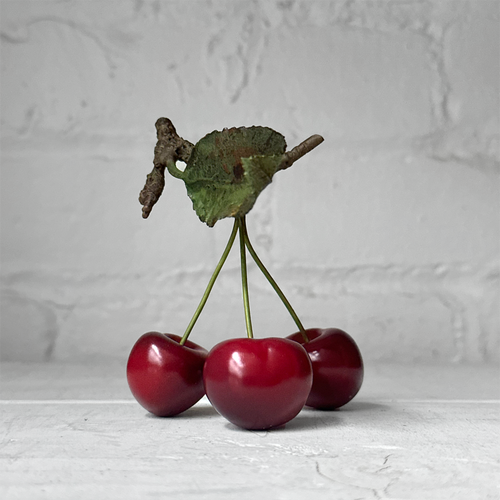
253 383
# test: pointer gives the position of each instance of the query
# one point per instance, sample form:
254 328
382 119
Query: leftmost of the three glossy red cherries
165 377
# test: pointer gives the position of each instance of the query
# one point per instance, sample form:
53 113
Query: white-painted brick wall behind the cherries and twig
390 229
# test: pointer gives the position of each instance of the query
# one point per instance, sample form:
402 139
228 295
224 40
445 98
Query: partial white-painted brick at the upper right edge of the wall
471 68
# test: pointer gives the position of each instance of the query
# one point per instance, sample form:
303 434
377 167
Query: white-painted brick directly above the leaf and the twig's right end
347 84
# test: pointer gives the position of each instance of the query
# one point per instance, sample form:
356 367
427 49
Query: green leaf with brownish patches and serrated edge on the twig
228 170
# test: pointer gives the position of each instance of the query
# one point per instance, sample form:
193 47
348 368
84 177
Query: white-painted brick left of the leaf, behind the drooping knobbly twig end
75 210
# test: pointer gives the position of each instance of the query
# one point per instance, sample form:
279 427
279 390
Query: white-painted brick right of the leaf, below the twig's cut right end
383 208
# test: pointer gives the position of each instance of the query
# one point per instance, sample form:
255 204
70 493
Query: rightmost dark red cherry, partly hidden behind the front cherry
337 367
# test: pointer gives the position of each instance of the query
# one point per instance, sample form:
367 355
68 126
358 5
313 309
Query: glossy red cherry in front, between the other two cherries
258 383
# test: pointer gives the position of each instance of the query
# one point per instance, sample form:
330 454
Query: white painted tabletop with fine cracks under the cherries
411 433
